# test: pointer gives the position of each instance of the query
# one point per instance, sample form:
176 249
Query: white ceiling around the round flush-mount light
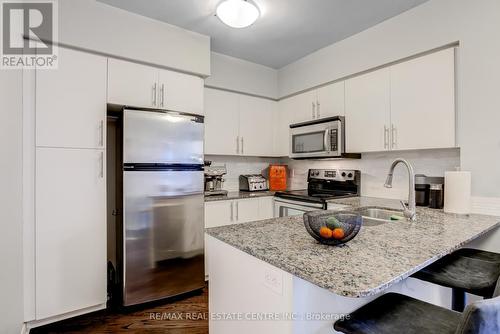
286 31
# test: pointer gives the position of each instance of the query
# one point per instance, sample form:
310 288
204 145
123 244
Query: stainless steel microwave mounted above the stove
321 138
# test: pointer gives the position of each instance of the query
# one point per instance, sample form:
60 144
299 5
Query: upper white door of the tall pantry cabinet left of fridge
71 102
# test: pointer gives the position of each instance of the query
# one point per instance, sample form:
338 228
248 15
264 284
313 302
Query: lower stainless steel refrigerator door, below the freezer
163 234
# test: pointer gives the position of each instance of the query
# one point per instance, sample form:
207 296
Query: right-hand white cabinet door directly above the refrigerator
180 92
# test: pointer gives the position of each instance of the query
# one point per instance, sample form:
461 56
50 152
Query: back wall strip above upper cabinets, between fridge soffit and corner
242 76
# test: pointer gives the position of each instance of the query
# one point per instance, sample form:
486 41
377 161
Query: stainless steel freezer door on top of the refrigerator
162 137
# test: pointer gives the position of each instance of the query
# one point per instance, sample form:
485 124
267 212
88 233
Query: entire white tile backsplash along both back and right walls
373 166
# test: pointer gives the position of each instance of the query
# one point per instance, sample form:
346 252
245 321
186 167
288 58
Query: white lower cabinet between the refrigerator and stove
220 213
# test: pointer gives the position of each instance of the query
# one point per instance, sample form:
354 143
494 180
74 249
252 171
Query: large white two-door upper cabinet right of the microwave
407 106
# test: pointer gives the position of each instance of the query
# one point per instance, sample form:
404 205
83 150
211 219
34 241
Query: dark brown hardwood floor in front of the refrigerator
189 315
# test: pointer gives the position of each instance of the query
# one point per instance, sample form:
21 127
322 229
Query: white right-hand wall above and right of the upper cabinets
476 25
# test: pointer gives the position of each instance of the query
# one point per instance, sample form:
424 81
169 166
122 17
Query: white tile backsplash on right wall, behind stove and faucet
374 168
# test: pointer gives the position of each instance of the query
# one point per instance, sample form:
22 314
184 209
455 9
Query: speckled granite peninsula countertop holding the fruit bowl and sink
377 258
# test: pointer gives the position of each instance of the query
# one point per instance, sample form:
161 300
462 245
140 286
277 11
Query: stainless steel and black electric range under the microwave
322 186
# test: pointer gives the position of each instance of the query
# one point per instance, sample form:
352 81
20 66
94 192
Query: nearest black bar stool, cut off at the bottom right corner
395 313
